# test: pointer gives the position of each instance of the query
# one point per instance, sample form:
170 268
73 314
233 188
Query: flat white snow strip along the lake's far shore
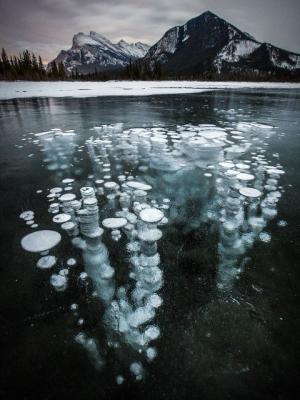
26 89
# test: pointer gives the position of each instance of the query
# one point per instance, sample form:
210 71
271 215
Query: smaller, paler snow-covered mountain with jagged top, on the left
95 52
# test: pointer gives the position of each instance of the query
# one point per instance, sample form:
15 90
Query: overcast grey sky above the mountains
47 26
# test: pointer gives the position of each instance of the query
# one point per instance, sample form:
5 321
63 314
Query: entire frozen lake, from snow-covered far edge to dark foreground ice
149 244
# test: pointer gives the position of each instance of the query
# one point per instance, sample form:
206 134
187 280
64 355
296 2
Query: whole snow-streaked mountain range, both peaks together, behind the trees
204 45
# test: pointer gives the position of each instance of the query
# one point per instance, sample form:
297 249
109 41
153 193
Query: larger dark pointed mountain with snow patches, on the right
209 44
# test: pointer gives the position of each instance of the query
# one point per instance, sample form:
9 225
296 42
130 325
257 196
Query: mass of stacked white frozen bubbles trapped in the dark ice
121 183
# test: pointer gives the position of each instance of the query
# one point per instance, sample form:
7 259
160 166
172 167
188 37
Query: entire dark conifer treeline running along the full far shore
28 66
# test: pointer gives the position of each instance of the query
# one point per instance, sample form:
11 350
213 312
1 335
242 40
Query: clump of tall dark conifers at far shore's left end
28 66
